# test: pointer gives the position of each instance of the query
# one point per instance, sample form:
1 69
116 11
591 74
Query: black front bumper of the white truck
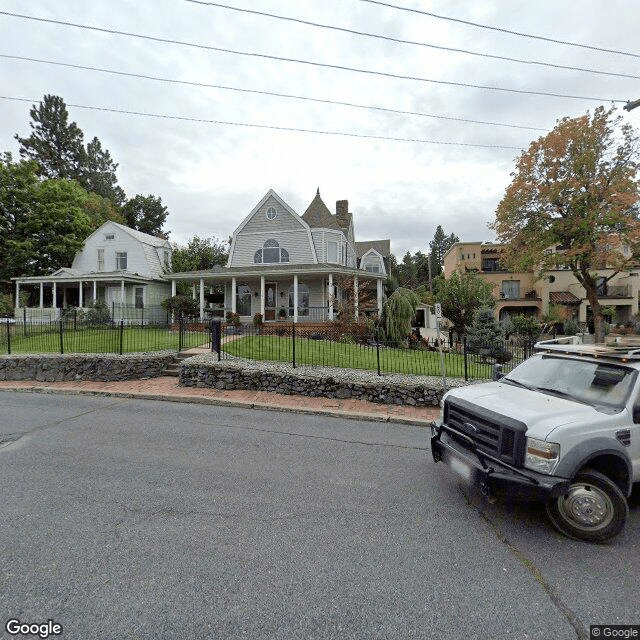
494 476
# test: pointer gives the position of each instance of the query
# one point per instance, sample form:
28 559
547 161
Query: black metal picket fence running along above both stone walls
328 345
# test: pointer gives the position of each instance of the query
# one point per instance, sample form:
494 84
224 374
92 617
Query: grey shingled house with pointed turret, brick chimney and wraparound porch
303 267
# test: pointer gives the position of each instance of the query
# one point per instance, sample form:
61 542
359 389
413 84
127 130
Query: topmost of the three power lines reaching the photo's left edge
323 65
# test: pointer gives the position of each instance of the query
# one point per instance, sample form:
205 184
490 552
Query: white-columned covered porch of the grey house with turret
302 294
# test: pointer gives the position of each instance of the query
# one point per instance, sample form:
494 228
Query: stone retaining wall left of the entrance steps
100 367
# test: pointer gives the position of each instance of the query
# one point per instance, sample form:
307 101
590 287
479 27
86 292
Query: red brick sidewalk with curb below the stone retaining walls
167 388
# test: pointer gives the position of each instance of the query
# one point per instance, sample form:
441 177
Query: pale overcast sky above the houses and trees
210 176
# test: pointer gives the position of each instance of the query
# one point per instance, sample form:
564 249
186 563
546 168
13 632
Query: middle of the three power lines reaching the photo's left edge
267 93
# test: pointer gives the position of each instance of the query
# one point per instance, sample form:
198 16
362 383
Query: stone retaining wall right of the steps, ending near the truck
226 375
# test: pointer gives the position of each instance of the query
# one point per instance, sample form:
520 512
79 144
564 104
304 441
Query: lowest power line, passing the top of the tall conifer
274 127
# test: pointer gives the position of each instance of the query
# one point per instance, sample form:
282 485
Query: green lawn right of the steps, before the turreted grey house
353 356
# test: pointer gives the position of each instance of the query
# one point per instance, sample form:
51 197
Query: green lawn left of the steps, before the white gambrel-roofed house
98 340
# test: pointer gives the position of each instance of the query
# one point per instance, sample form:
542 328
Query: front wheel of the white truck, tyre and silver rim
594 508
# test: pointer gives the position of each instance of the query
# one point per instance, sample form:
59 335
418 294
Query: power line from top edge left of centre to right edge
413 42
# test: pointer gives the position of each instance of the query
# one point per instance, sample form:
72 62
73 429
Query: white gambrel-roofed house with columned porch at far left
120 266
